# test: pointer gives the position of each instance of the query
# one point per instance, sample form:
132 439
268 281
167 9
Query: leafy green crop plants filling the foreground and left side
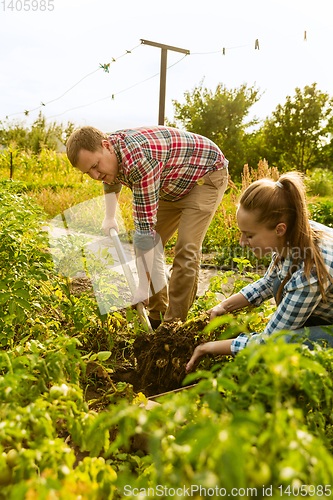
262 420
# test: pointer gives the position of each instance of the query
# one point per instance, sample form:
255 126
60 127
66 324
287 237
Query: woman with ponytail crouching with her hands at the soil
273 219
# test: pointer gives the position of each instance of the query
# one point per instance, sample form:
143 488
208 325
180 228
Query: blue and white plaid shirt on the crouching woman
300 298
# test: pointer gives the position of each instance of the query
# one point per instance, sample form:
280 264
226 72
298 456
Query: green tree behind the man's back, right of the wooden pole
219 116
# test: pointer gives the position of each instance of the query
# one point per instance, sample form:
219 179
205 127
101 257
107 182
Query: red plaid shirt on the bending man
161 163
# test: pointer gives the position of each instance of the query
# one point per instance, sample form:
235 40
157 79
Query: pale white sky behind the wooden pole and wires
43 54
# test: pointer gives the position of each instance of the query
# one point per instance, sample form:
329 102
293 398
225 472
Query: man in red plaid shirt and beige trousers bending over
178 180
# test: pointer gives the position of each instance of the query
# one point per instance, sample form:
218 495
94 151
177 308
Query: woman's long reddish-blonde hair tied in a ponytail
285 201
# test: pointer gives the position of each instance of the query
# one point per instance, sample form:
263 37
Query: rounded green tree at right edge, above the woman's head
296 134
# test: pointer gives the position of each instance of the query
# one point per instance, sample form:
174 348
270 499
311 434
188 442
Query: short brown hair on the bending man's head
88 138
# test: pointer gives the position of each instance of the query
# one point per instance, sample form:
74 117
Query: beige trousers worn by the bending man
191 215
